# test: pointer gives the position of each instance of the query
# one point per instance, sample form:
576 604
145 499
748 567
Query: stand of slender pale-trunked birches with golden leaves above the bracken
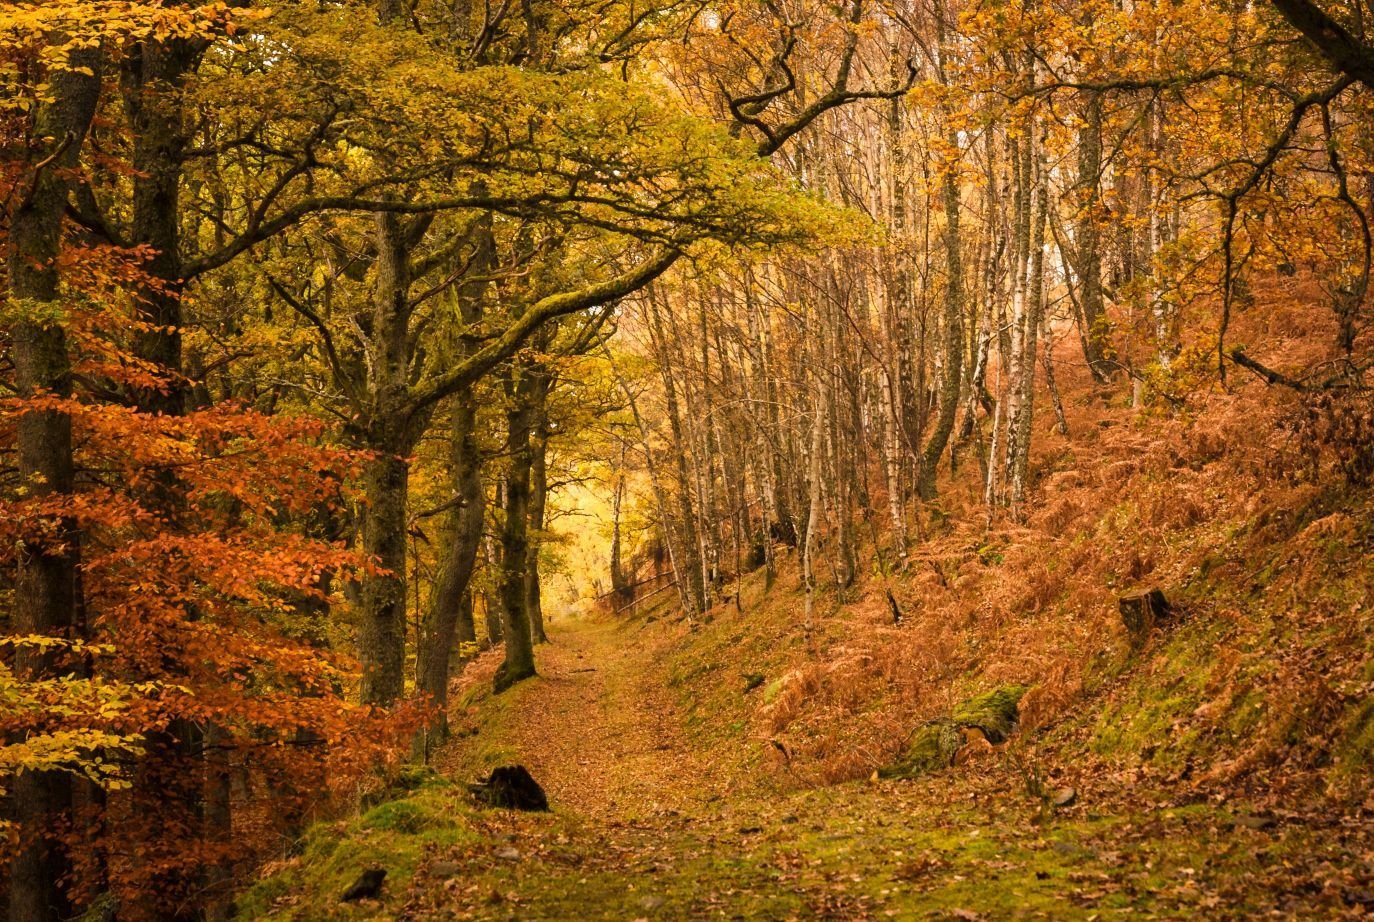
1094 174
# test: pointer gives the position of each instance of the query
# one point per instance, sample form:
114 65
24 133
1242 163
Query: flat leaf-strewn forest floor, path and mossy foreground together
660 816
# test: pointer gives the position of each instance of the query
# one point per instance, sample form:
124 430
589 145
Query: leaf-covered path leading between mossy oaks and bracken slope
646 822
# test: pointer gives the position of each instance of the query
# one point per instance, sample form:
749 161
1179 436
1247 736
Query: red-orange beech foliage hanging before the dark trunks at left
205 592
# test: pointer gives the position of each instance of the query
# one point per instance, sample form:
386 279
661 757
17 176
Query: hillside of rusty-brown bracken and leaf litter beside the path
1250 509
